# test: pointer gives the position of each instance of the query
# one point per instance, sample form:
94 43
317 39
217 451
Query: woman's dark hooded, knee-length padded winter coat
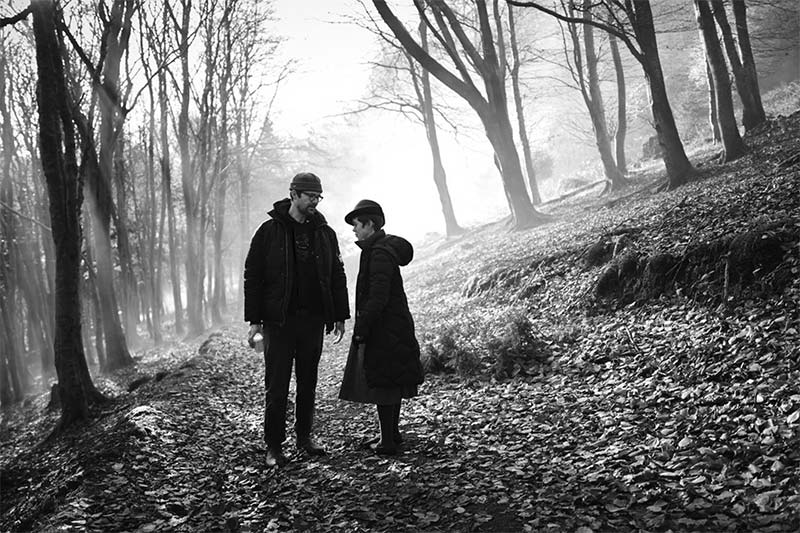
383 320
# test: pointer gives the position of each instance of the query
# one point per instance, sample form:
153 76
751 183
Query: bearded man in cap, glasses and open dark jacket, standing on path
294 287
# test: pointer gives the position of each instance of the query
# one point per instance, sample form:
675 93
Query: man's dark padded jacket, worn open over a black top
269 270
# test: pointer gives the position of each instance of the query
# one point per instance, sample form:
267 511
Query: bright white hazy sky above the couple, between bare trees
392 161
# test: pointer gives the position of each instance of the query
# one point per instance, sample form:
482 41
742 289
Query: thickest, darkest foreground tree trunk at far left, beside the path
57 148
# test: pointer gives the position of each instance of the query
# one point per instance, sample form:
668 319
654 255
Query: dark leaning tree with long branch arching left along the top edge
632 23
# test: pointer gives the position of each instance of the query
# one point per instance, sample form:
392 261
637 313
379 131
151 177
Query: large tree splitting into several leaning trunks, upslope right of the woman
491 108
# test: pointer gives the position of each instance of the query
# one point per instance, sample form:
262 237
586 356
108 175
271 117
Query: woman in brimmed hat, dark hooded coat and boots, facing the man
383 365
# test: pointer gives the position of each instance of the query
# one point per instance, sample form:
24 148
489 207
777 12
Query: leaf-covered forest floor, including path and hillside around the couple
580 388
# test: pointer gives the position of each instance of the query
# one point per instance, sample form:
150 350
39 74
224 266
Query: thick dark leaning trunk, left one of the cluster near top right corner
731 140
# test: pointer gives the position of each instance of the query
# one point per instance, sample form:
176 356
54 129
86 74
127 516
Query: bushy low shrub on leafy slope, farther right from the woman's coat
518 350
